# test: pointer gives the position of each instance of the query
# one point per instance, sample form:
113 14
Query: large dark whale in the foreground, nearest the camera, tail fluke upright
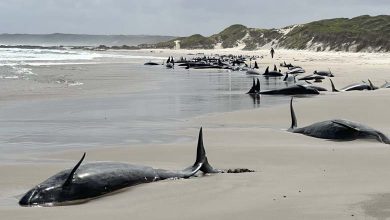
92 180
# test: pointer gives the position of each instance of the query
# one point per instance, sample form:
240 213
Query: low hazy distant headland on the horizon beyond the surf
79 39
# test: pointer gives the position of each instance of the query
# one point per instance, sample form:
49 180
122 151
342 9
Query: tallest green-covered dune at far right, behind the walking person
361 32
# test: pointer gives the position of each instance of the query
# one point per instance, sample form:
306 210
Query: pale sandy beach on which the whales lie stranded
297 177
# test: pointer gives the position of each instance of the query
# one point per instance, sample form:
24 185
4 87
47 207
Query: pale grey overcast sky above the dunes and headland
171 17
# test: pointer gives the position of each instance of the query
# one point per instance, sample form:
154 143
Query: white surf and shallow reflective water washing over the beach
145 117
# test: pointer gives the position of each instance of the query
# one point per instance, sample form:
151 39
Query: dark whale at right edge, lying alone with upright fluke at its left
337 129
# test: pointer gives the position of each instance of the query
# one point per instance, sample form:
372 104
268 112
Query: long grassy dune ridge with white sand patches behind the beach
360 34
